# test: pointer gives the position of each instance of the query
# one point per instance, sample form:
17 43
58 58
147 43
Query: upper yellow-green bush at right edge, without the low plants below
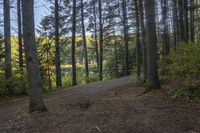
184 64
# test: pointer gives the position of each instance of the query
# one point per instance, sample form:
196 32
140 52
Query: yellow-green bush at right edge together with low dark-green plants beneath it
183 66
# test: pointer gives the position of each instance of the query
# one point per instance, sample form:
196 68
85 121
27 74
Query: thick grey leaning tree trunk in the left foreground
35 89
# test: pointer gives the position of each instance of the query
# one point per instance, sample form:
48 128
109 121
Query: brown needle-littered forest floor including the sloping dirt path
116 106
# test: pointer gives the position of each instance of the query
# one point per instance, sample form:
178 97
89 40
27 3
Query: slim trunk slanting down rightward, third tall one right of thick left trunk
84 40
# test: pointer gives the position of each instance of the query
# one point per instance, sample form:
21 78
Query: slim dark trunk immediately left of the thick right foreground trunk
143 31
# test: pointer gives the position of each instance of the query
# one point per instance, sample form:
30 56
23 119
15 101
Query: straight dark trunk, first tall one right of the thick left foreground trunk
57 45
